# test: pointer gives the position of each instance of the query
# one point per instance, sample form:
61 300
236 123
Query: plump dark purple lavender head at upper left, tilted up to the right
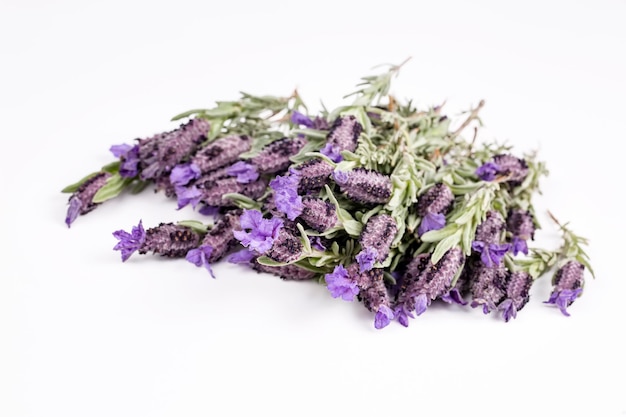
159 154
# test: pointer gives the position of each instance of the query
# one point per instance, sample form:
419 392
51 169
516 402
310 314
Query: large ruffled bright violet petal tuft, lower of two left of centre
262 232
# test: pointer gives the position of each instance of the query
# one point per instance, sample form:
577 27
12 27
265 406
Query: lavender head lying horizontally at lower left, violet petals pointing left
167 239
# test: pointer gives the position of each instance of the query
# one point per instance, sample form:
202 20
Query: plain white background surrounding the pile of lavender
85 335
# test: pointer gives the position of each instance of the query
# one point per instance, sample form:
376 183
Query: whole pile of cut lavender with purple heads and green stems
379 201
